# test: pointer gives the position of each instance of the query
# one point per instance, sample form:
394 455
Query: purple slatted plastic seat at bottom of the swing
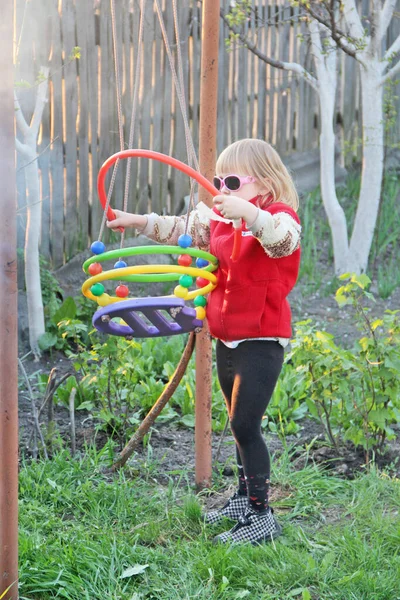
147 317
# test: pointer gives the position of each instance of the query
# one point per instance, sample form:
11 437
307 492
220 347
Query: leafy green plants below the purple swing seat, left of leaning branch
121 380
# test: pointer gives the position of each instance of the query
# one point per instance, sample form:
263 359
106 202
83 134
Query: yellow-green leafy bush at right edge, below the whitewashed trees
353 393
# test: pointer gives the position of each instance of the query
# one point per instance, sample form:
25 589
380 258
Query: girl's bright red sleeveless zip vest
250 298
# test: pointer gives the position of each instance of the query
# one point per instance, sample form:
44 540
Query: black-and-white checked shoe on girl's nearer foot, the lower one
253 527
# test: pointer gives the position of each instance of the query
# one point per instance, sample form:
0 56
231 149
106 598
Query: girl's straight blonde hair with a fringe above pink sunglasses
258 159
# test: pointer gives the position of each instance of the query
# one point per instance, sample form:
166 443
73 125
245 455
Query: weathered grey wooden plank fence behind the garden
80 127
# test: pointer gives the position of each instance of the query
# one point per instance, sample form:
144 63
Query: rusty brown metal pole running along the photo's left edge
8 317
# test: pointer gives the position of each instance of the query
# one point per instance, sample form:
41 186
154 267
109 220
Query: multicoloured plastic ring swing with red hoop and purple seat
151 317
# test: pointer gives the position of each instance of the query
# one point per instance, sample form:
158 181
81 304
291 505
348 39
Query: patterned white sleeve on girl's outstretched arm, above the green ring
166 229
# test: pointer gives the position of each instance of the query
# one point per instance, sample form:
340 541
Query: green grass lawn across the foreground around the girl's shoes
80 532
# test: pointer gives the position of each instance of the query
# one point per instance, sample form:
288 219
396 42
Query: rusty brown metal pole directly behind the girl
207 159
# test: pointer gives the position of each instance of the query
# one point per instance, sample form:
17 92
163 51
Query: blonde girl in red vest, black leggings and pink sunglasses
248 312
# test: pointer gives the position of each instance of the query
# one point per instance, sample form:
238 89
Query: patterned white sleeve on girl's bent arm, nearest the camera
279 234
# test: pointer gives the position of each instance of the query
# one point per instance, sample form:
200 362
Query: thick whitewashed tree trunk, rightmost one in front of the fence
372 166
